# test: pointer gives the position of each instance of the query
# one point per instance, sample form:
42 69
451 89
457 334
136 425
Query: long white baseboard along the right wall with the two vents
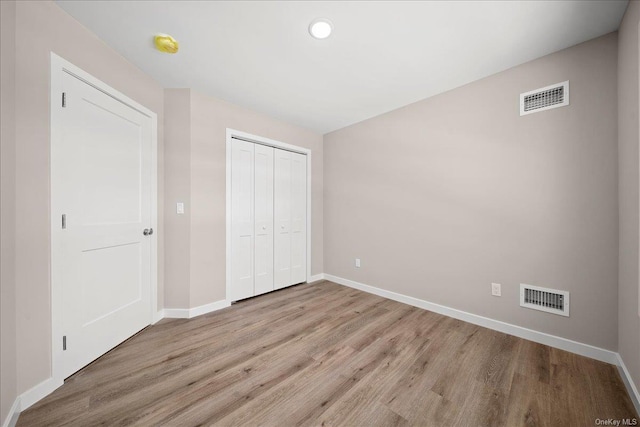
497 325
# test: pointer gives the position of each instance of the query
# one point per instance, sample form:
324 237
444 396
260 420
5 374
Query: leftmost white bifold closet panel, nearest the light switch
242 219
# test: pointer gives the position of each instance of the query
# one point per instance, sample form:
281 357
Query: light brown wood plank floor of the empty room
324 354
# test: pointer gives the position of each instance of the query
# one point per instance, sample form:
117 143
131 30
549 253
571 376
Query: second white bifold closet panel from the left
263 219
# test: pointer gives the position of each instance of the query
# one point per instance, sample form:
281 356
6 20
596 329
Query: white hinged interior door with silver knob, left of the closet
105 176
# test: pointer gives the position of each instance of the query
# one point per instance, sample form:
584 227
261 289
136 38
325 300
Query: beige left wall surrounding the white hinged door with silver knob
42 27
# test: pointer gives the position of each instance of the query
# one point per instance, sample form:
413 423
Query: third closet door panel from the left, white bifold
282 212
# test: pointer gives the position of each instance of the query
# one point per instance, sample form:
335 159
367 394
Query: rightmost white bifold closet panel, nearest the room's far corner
298 218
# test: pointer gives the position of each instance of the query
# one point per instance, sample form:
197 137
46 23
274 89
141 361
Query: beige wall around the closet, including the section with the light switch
195 173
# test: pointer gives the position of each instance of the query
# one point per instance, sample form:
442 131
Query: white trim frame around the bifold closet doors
270 143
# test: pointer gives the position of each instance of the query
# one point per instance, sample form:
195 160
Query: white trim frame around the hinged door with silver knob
60 67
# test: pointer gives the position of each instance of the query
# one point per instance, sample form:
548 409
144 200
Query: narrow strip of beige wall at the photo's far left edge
8 377
